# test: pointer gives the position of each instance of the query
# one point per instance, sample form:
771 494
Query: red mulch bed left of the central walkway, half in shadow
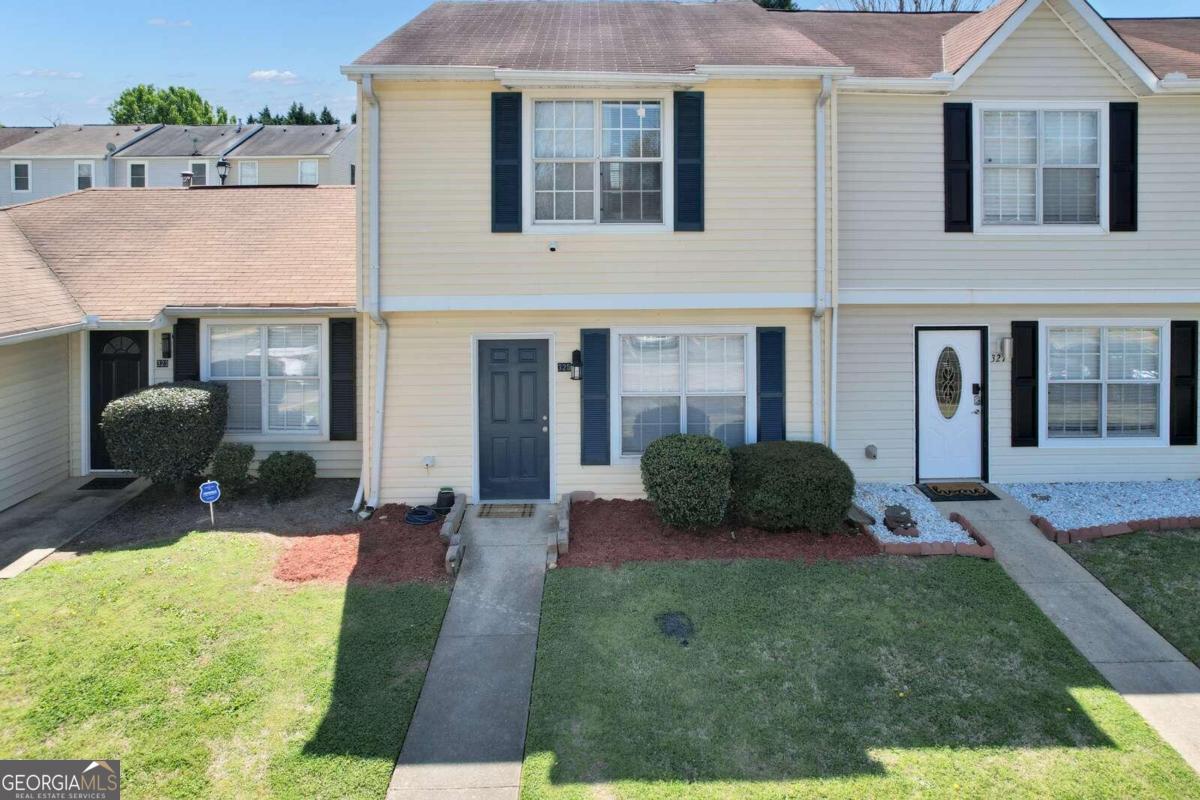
385 550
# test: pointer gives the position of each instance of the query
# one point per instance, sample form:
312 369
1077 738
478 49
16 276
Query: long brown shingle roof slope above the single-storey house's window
127 255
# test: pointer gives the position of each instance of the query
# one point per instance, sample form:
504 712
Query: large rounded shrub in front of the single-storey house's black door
167 432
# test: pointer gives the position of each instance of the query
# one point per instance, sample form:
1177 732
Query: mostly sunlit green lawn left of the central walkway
188 661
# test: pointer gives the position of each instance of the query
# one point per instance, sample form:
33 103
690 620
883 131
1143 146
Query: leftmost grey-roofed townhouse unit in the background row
64 159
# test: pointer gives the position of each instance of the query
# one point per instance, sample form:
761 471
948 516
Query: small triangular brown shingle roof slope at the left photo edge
32 299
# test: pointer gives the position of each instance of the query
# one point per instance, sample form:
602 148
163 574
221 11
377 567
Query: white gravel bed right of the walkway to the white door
1084 506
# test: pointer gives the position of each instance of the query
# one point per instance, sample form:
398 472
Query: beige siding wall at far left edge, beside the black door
34 408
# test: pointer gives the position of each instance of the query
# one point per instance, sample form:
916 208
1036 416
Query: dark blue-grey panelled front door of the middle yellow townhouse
514 420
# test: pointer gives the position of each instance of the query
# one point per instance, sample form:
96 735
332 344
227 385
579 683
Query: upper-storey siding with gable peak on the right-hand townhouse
891 185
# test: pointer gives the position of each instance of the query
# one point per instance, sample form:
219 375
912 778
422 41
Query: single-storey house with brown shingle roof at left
107 291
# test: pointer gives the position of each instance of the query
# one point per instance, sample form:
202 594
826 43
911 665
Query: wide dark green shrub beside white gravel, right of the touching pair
791 486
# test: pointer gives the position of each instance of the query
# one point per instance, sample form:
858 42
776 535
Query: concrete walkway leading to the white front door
1157 681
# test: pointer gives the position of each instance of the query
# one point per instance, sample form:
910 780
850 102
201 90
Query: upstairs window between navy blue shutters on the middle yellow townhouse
598 161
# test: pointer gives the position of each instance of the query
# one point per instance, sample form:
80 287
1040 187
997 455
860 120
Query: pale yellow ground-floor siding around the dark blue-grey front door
431 405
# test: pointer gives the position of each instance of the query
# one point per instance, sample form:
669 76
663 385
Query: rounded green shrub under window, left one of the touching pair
687 479
